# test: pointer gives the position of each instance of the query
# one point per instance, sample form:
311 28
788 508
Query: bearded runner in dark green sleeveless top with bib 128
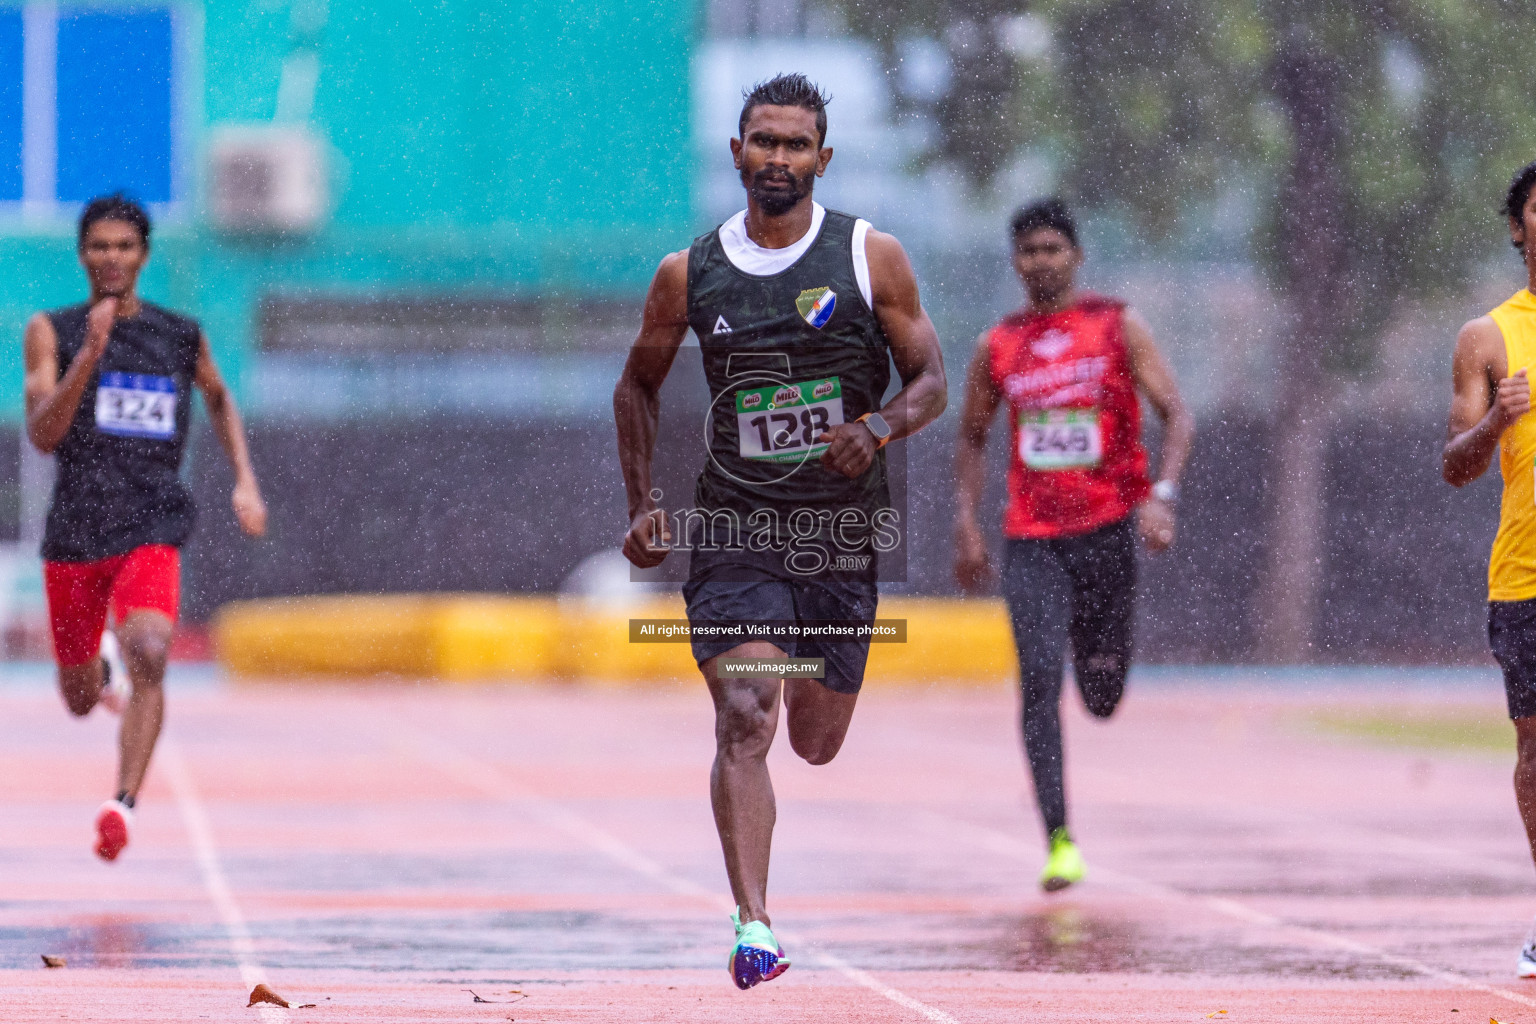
799 312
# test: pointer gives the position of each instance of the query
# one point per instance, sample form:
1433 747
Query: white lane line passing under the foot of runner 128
497 785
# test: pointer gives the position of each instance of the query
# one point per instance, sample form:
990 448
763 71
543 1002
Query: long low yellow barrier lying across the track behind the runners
460 638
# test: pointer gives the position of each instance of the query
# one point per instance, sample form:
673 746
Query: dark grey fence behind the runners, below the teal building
515 506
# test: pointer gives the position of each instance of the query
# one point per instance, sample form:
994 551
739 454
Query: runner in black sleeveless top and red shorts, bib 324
110 394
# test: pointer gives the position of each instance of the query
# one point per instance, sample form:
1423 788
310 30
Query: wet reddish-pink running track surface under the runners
385 851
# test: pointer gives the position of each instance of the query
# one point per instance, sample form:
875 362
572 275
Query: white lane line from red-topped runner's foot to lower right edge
999 842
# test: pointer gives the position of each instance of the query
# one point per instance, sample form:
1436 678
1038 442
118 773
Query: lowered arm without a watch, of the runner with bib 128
637 403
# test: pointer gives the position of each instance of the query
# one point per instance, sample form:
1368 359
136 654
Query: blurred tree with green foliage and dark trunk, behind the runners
1375 140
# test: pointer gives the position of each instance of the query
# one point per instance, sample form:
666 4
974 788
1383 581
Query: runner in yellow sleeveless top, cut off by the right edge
1495 357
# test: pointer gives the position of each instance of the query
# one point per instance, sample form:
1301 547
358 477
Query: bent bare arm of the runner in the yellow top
1480 409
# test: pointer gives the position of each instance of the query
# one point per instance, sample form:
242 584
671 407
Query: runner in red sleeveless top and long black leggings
1070 368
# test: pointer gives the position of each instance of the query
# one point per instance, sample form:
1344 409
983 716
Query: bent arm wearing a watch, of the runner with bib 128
915 349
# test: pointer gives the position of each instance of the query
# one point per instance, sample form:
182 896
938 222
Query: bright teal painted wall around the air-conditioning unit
486 148
